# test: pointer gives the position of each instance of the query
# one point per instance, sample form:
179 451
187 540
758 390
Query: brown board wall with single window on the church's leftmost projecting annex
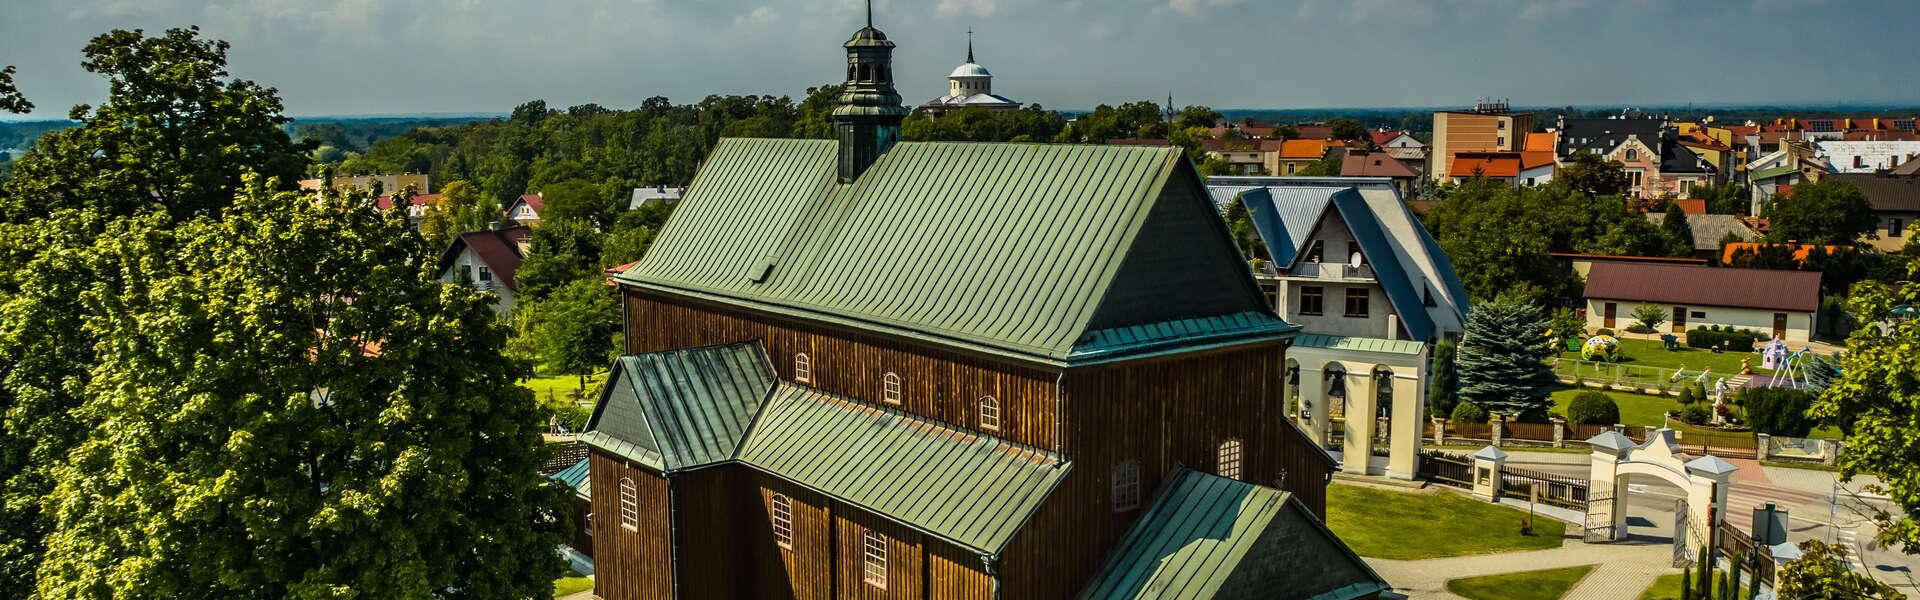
631 564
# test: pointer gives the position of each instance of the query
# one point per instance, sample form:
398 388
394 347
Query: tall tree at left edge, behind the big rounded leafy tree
172 139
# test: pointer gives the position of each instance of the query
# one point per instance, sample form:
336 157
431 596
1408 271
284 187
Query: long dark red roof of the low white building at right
1689 286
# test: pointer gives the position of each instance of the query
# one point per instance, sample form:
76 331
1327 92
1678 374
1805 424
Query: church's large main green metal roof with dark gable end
1009 249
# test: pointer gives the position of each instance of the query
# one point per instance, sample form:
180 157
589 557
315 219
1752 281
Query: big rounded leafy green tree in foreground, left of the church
287 405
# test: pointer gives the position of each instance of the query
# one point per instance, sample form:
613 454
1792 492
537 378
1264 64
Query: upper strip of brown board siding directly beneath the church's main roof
936 384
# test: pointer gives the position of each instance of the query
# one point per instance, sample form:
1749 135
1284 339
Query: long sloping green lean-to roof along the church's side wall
969 489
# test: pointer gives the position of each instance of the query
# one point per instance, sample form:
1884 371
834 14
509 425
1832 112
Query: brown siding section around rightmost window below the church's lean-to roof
905 562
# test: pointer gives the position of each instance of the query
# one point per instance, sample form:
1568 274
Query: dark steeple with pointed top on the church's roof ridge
869 114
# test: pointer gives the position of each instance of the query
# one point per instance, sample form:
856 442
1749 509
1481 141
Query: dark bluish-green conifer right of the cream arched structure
1502 359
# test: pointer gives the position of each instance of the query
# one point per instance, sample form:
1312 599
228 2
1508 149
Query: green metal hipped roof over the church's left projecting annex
681 409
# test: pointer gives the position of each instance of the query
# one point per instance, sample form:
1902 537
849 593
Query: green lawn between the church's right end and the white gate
1412 526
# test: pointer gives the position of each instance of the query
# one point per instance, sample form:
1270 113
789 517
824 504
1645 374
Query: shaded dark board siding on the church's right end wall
1163 414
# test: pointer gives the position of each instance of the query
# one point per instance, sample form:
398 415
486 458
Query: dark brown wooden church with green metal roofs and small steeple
867 368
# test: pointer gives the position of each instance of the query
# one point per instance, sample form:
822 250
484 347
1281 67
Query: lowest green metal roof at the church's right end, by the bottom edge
1214 537
